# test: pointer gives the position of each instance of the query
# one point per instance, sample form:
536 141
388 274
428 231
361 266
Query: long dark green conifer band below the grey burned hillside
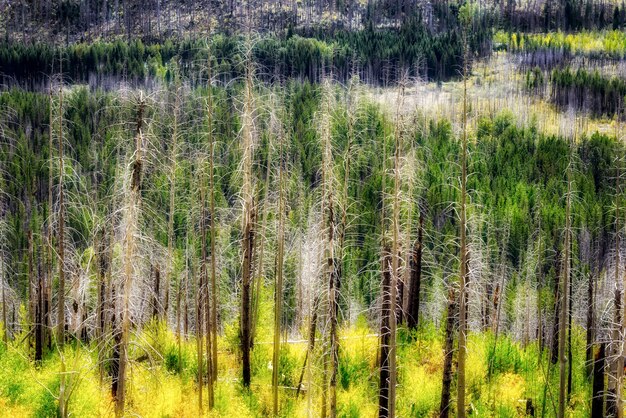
372 53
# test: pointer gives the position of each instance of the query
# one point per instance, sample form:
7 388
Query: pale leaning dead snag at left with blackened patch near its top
131 220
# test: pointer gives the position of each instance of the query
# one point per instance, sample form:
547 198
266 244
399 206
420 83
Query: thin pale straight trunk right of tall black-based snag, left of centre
278 291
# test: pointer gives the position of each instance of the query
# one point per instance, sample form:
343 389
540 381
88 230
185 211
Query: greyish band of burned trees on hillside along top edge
73 21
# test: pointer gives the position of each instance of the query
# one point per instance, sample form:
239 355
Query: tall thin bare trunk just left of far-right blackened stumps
565 296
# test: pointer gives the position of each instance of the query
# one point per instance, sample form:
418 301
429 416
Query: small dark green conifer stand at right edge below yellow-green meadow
589 91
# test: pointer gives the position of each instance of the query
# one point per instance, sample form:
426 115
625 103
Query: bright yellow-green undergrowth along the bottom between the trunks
501 376
